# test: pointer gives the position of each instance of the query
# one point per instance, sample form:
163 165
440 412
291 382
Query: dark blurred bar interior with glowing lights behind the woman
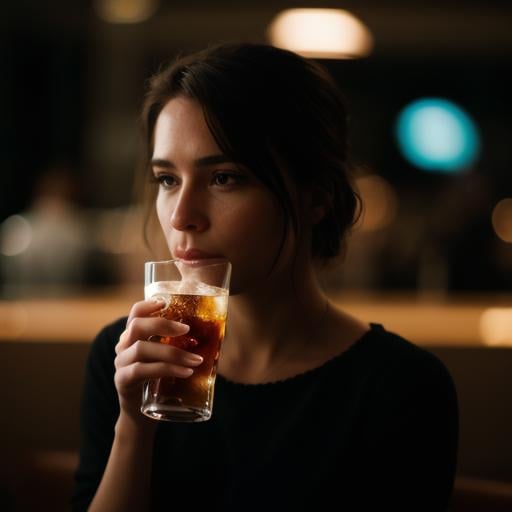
428 90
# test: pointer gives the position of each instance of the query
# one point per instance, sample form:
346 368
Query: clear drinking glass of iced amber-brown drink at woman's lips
194 293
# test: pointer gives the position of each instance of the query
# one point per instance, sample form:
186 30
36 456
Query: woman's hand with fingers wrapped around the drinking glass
137 360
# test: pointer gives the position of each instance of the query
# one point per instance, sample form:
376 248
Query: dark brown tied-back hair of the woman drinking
277 114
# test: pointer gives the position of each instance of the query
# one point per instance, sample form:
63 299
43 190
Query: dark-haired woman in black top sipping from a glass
247 153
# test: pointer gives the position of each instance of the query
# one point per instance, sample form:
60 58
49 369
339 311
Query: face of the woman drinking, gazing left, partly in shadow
207 205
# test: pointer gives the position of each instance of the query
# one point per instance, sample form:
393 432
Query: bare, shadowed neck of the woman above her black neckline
272 328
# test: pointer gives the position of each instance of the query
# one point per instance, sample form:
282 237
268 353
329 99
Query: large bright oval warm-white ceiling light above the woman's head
321 33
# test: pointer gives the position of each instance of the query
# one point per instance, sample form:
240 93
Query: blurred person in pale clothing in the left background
47 249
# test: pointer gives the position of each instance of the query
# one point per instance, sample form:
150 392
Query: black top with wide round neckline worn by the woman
374 428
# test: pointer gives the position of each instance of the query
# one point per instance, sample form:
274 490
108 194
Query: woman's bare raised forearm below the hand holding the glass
125 485
